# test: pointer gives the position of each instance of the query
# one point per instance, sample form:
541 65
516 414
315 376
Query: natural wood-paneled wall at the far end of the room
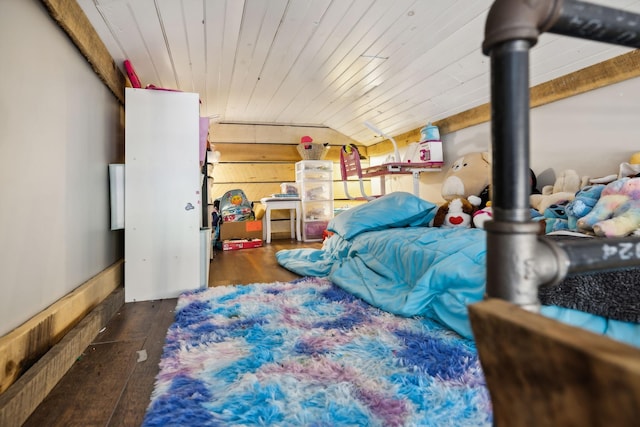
258 158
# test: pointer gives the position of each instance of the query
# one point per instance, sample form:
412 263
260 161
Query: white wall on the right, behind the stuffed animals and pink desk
592 133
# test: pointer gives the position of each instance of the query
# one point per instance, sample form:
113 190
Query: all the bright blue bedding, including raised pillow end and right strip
386 253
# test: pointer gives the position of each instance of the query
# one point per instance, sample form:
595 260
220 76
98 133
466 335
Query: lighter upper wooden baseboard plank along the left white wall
20 348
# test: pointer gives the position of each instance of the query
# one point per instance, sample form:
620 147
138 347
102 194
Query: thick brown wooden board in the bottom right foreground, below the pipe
544 373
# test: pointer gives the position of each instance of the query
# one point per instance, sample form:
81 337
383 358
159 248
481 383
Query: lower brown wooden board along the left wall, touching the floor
24 396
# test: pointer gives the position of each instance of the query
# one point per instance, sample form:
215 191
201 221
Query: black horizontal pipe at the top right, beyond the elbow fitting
599 23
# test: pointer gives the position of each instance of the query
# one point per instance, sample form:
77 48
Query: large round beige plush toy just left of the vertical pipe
468 176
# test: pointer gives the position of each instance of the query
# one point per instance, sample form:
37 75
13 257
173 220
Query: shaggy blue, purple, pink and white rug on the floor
306 353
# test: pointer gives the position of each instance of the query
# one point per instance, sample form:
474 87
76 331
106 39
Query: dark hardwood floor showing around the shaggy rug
111 382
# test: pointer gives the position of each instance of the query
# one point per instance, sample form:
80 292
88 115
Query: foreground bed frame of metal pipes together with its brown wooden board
541 372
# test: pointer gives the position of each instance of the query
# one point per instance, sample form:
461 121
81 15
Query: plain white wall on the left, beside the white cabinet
59 129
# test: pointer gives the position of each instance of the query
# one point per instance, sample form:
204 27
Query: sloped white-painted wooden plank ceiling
332 63
